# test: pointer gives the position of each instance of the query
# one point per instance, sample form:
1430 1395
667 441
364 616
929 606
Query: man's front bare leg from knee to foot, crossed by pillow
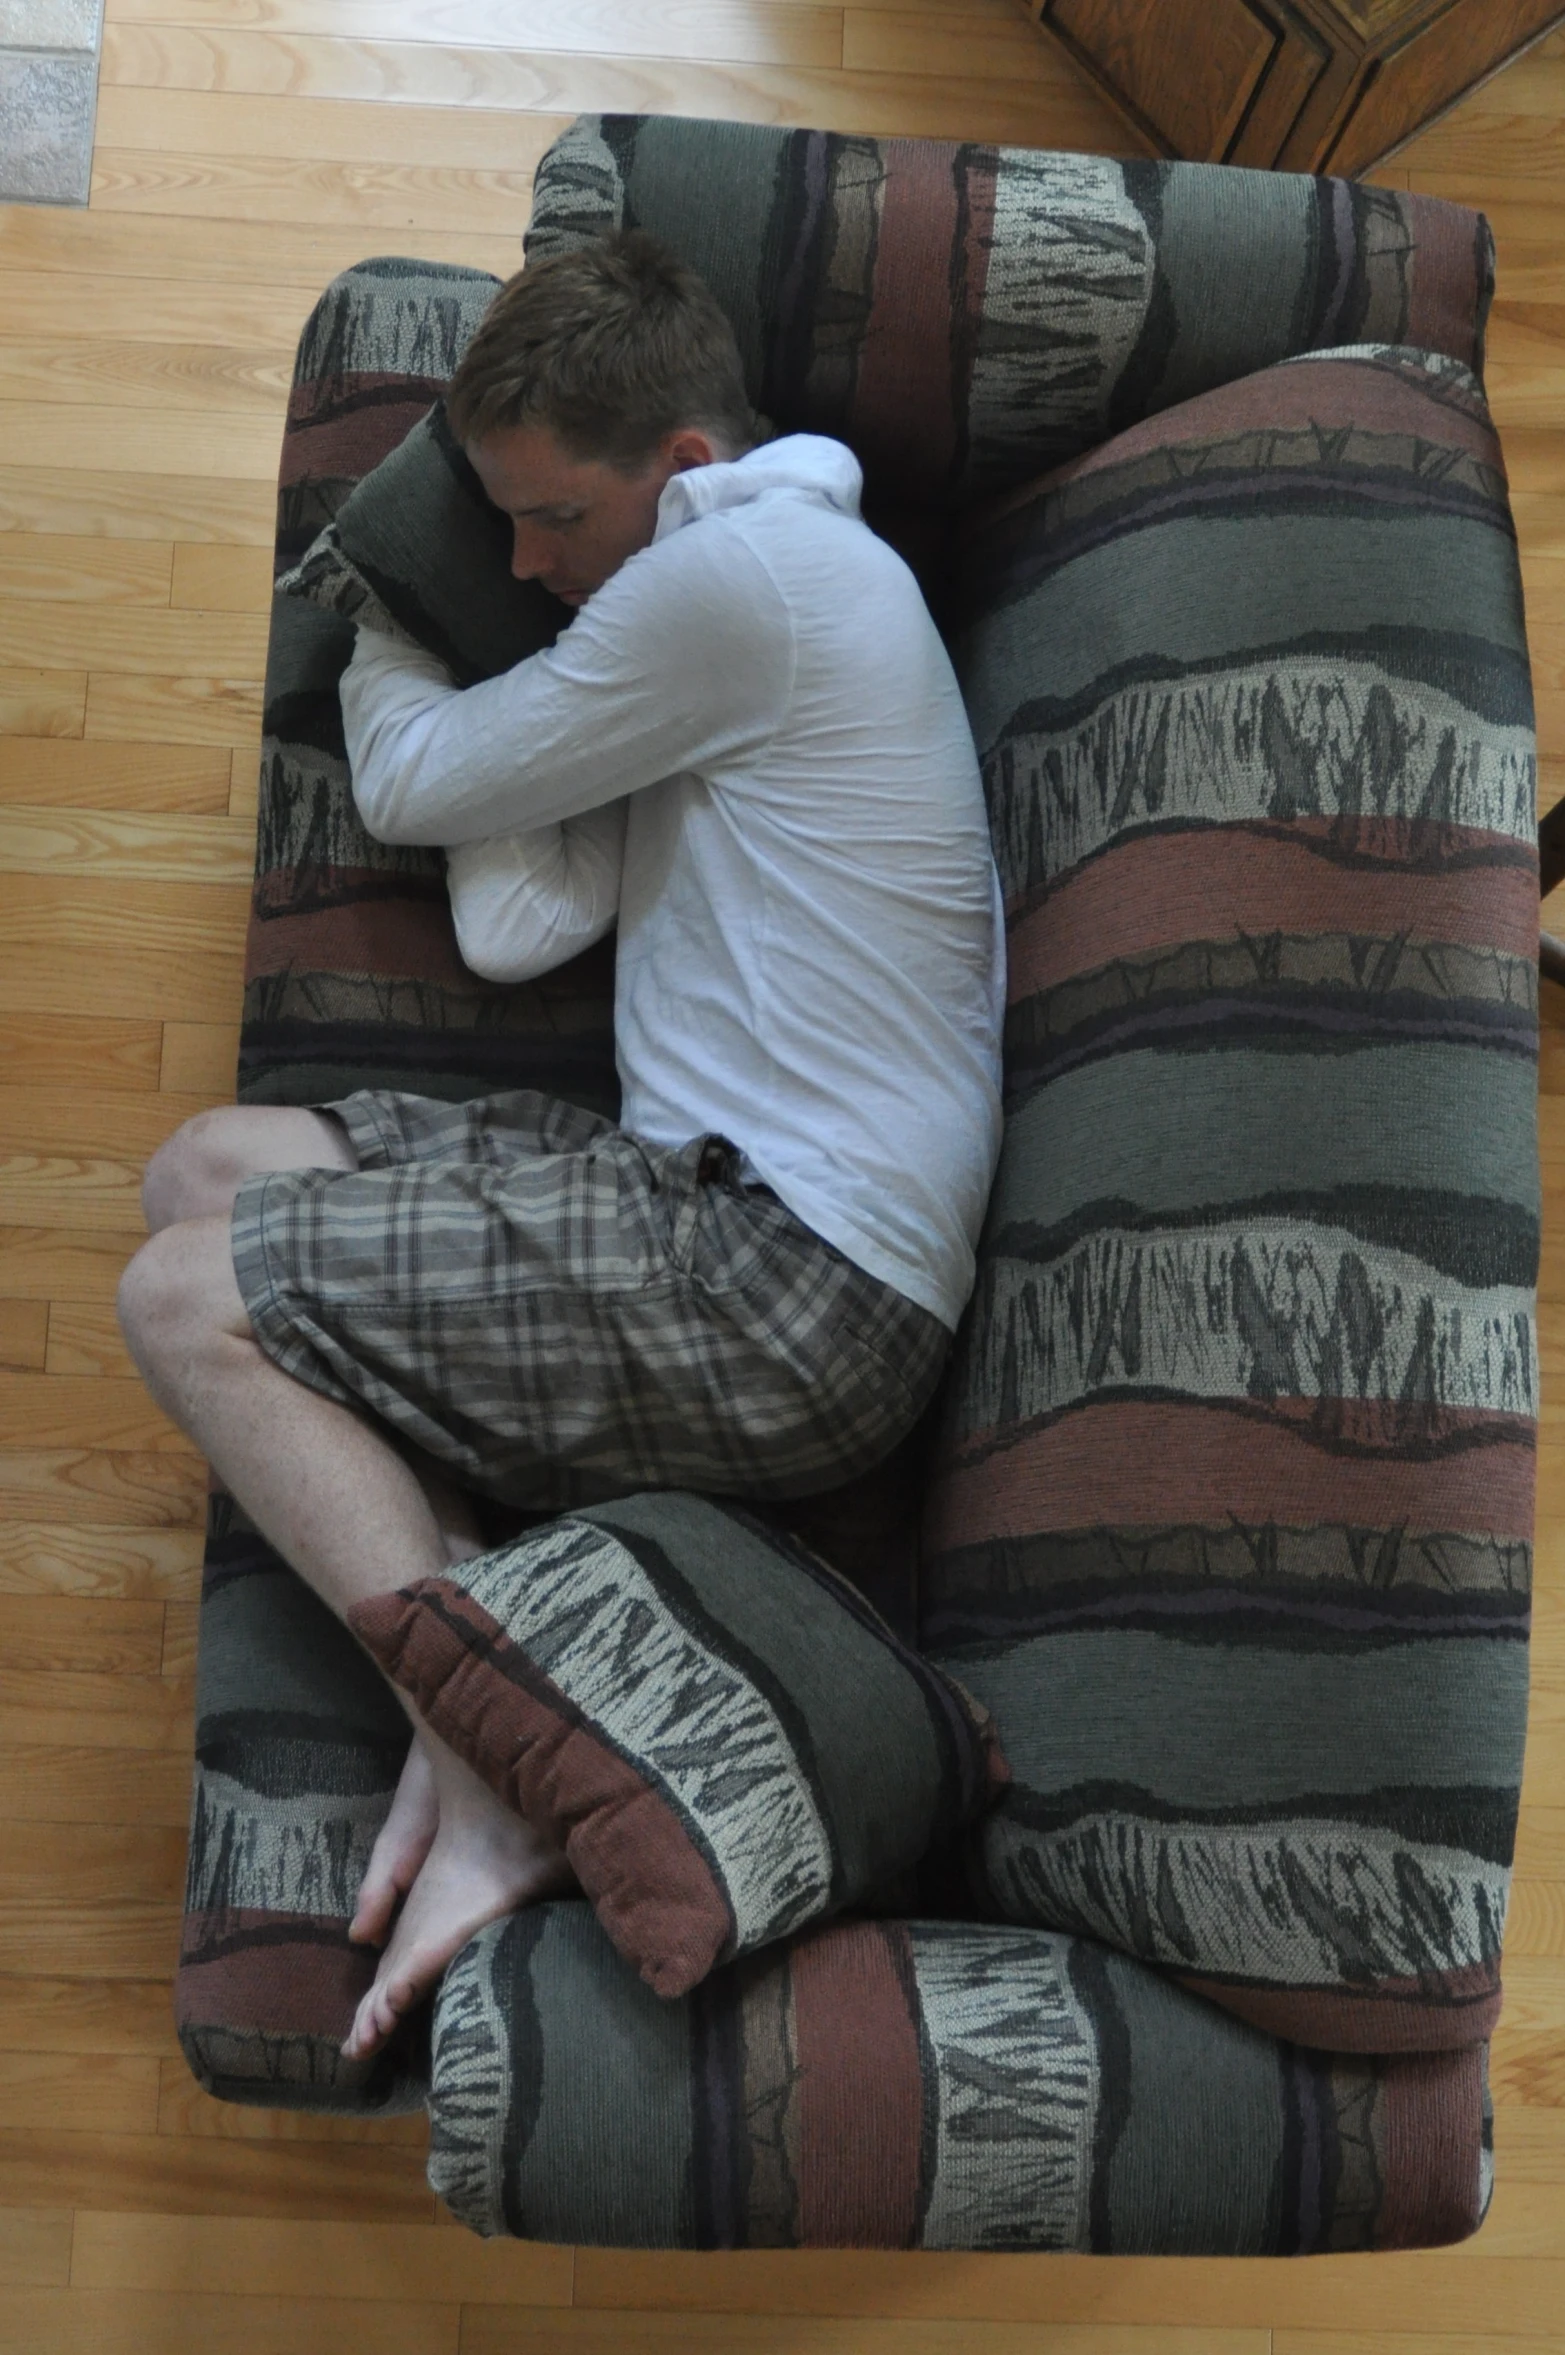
352 1518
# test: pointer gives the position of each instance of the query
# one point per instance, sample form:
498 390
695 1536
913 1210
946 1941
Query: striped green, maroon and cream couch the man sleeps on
1227 1513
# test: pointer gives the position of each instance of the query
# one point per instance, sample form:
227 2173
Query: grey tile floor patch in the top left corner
48 95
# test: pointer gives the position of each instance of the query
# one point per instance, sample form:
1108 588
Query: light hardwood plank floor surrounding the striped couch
248 150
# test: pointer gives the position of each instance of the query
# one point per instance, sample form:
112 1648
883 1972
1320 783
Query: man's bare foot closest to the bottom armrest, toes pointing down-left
484 1864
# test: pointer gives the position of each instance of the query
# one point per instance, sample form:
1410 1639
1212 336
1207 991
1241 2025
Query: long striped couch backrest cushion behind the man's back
1232 1523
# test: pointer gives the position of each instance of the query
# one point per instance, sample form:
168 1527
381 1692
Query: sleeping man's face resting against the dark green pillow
575 519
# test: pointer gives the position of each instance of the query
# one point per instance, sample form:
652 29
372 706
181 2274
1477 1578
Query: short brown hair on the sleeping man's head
611 347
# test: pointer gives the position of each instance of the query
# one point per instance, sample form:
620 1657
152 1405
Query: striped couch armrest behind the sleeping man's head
966 314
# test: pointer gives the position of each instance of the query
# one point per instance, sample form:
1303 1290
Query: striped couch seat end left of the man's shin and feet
298 1753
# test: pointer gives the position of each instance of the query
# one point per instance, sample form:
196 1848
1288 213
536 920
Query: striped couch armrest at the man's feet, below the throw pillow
924 2085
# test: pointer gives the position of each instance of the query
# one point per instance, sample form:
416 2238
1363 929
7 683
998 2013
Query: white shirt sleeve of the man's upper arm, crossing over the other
684 661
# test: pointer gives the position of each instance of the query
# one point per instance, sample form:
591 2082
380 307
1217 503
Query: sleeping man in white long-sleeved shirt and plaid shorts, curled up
747 752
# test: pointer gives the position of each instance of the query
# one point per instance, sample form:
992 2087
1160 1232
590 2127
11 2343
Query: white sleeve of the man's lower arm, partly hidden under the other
528 901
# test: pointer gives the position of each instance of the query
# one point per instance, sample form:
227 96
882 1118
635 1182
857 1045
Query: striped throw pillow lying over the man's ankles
719 1732
